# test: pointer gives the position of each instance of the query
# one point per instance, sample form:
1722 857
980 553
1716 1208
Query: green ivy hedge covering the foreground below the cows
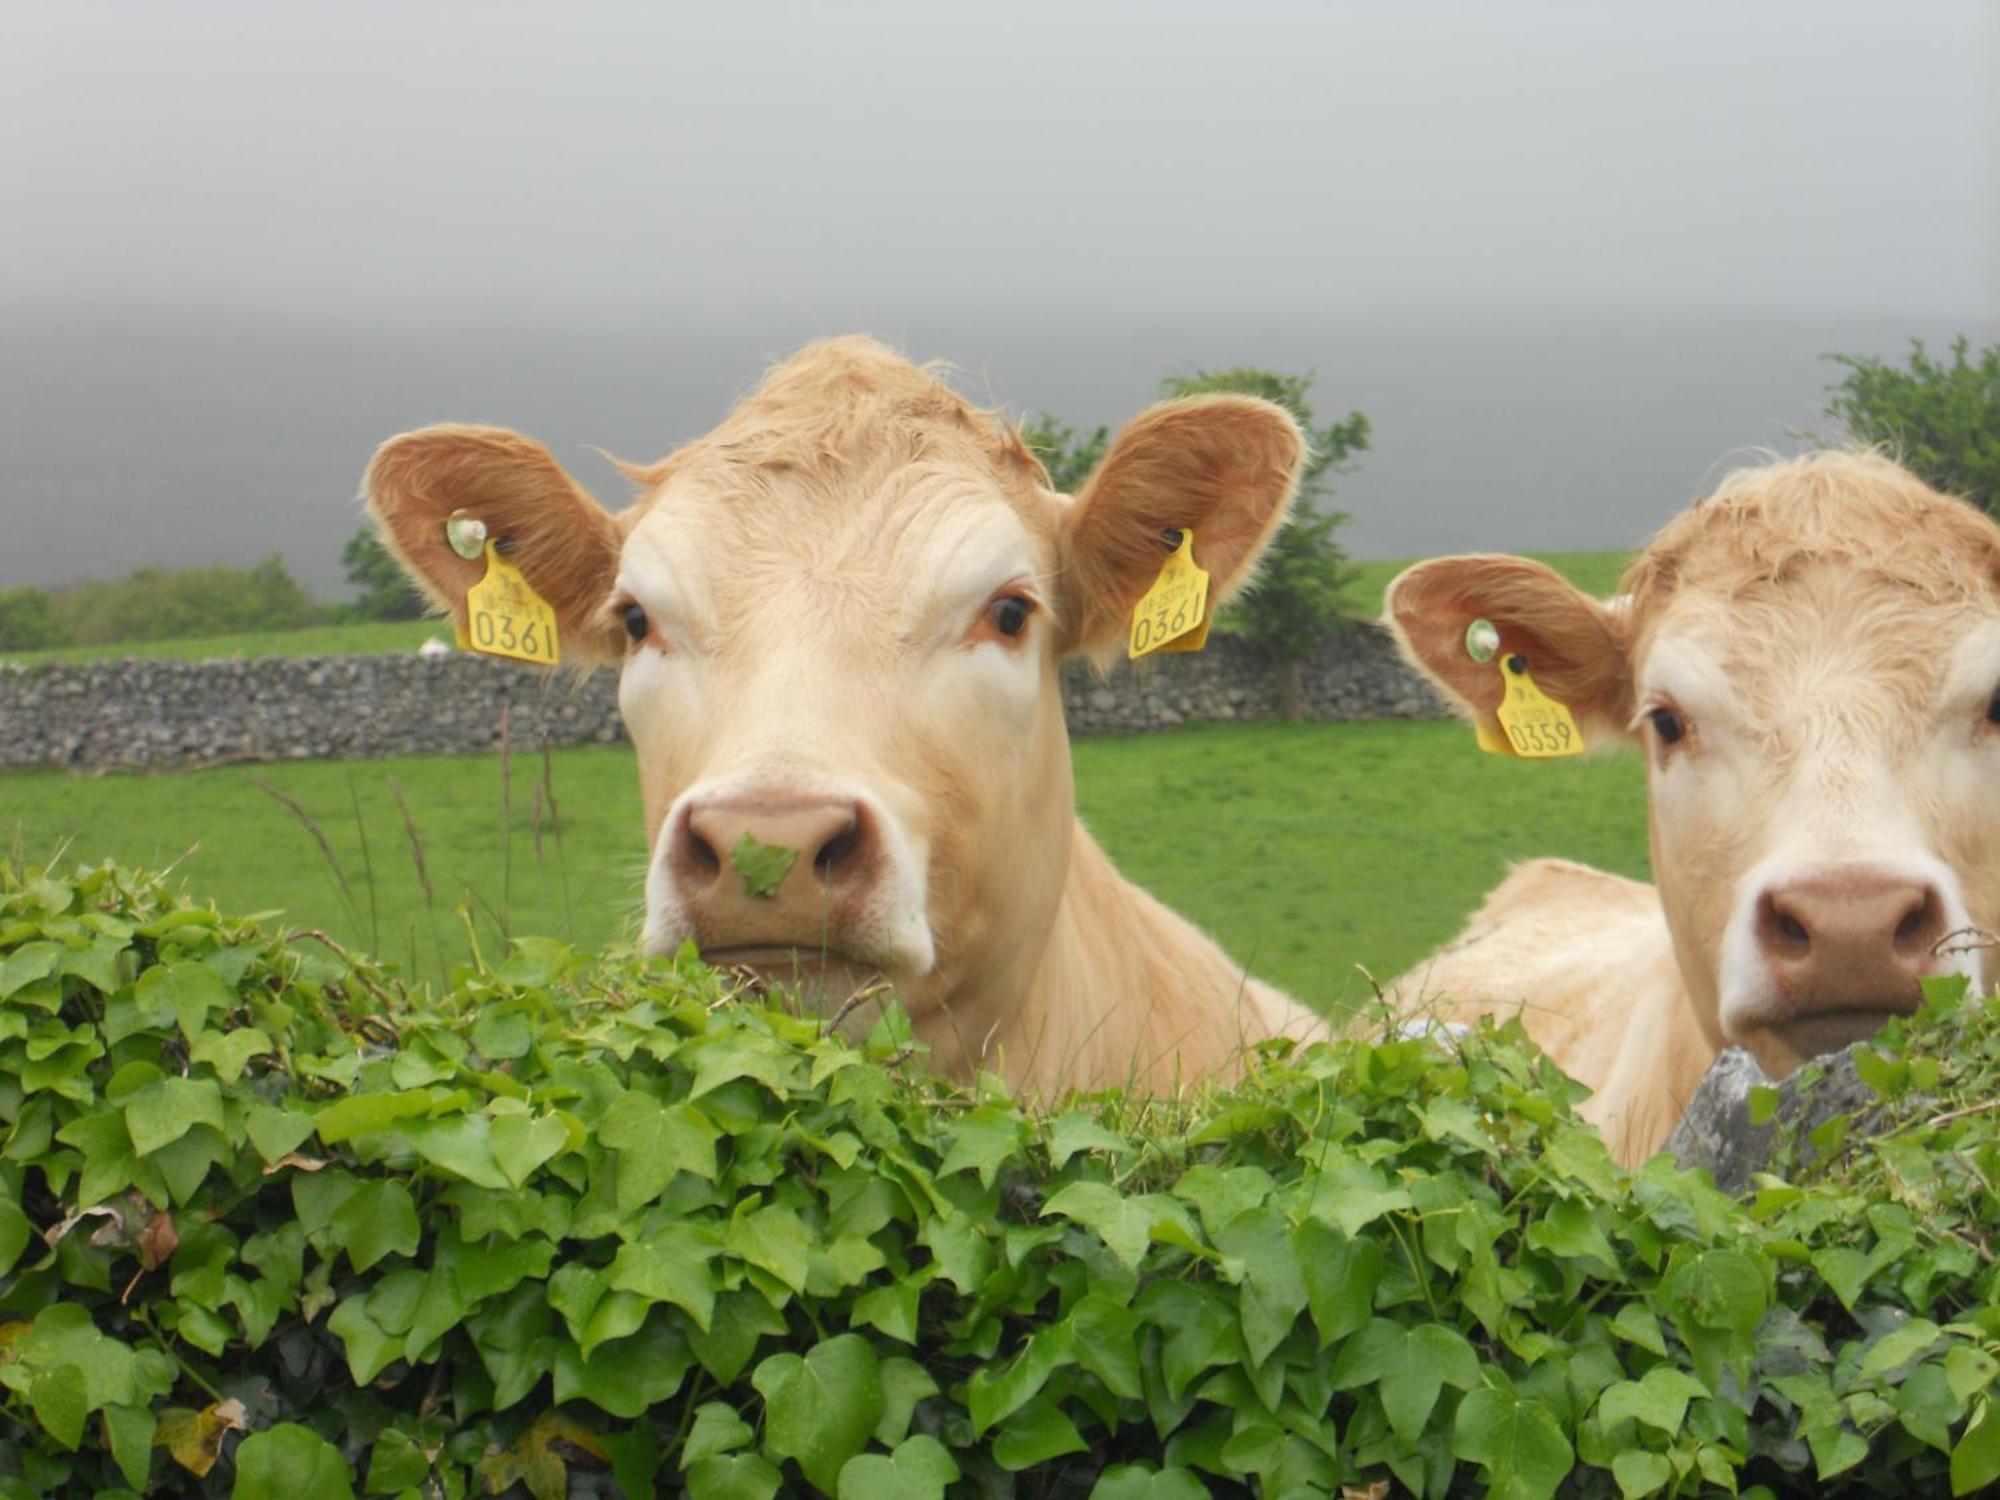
583 1227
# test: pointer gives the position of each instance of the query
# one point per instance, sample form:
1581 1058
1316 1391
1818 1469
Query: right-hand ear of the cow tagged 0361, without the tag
1223 467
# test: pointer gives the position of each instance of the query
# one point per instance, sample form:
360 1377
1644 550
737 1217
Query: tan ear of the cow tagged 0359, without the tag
1573 643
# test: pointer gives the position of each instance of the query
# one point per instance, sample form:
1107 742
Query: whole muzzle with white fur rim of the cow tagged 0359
1835 953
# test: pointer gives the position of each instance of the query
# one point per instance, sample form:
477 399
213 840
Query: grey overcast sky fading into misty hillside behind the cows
1569 257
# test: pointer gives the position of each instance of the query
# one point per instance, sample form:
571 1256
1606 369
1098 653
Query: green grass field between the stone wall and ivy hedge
1307 849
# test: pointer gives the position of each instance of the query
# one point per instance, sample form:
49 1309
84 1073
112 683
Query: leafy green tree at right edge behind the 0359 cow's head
1941 417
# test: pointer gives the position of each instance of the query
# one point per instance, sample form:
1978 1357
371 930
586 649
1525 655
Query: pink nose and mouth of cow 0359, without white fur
1847 949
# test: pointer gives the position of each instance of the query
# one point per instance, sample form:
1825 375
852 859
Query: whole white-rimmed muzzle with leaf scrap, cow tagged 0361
813 889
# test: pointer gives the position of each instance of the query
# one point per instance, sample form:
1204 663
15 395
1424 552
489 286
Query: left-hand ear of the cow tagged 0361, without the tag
561 541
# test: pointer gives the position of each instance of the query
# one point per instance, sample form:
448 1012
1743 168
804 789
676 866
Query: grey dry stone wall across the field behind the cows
169 715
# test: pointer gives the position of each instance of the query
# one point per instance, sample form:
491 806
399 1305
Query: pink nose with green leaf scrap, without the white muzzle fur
743 909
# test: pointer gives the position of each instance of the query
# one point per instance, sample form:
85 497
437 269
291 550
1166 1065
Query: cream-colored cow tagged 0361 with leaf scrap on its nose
841 619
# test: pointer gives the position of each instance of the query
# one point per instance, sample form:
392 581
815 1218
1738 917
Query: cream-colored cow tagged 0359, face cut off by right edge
1811 659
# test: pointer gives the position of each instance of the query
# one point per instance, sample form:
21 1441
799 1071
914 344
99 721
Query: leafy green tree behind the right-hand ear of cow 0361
1297 599
